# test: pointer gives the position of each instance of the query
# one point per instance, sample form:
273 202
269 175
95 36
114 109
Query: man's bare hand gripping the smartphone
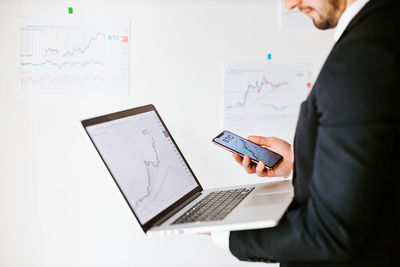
283 148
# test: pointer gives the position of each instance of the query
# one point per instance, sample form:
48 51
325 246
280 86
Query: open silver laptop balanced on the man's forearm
162 190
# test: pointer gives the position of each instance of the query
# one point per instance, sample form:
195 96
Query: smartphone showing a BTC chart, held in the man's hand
242 146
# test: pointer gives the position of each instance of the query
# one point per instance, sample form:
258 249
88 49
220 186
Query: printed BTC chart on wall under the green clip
75 56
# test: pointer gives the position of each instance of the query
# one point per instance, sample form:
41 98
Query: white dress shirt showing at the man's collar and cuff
221 238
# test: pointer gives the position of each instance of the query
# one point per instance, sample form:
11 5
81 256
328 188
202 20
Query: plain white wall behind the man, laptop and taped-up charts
58 204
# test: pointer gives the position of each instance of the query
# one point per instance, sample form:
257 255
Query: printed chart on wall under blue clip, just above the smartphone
264 98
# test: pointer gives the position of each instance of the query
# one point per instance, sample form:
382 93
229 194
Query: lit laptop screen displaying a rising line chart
144 162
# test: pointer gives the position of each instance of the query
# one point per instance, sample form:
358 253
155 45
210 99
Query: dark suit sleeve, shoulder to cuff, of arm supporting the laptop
355 155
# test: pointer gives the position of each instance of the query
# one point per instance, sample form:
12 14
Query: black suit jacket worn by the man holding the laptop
346 173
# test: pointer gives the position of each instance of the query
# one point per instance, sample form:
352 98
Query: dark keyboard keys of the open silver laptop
215 206
